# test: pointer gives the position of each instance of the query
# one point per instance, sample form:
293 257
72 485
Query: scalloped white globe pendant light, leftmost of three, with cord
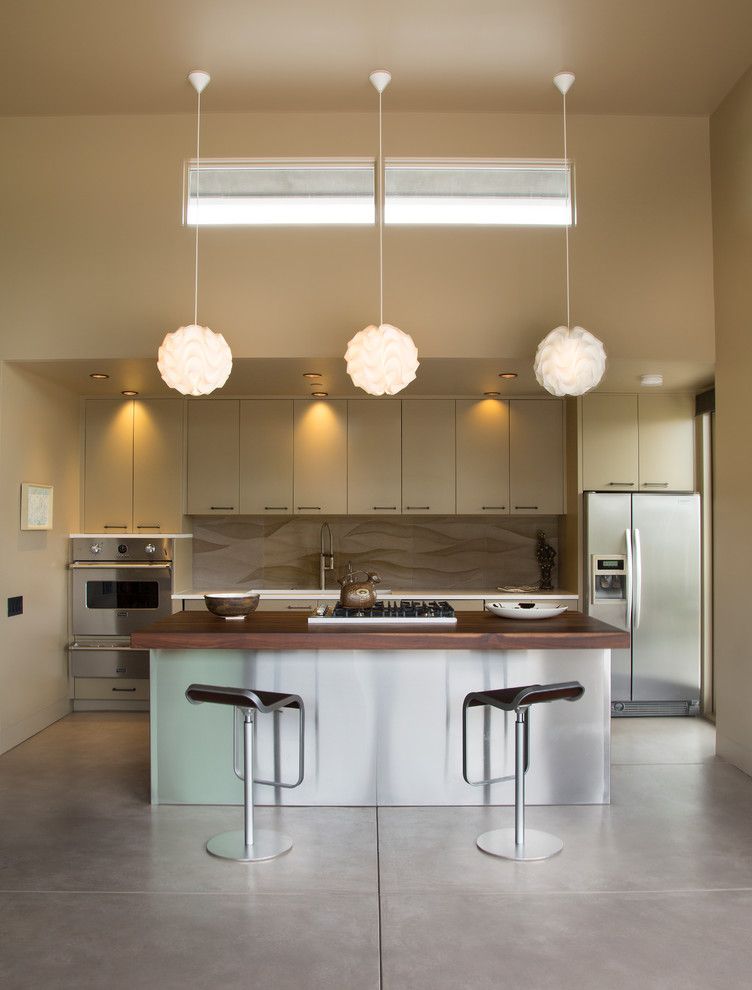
195 360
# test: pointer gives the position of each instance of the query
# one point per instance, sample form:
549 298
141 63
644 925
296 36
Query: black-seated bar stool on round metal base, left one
250 845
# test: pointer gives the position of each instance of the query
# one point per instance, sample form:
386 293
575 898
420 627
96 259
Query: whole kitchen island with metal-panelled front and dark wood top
383 709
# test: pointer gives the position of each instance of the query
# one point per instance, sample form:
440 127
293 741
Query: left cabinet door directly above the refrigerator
609 443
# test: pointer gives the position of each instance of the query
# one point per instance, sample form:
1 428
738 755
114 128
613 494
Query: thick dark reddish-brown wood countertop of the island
284 631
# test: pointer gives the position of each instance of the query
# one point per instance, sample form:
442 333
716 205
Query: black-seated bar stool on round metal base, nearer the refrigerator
516 843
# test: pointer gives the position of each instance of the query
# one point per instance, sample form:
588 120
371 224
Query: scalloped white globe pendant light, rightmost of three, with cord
569 360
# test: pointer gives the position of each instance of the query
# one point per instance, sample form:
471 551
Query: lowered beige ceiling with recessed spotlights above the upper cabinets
284 376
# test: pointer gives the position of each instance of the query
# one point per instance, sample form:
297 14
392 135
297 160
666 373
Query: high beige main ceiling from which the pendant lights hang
630 56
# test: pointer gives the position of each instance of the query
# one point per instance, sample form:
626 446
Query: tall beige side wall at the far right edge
731 144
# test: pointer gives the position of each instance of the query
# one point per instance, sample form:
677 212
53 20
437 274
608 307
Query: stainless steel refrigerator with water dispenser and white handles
642 562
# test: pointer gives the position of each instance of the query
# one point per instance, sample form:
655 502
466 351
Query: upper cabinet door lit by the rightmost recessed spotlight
483 456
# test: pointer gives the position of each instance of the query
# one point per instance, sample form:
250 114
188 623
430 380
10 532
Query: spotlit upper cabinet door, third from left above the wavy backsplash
320 456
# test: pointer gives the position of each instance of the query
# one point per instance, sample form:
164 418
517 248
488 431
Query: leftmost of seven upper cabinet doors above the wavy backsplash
213 457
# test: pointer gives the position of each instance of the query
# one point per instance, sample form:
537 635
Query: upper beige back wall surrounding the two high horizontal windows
94 261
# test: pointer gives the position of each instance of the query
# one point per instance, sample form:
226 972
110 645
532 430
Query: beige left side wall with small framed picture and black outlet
39 441
